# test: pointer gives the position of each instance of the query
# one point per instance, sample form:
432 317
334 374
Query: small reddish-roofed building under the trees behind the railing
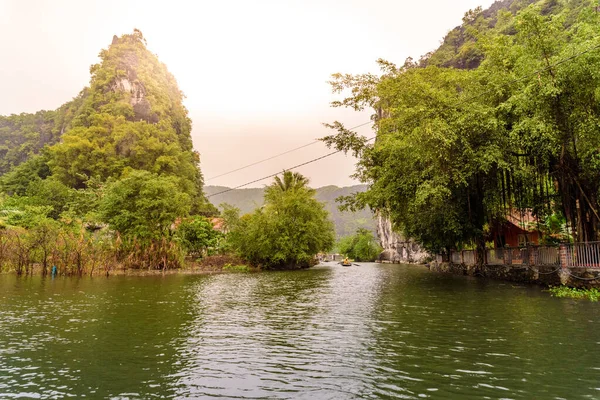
519 229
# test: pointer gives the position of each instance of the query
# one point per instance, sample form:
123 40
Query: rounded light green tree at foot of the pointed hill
144 205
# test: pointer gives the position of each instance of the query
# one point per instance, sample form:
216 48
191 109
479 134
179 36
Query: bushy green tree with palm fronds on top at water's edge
288 231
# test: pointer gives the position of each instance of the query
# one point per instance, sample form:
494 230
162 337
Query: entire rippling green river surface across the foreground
373 331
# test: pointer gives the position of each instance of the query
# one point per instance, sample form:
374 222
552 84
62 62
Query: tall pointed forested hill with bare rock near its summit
130 119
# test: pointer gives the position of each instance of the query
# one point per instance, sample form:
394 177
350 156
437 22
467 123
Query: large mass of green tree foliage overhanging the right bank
458 149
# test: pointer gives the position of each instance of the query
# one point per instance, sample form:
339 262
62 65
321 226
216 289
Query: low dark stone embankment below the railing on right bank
532 274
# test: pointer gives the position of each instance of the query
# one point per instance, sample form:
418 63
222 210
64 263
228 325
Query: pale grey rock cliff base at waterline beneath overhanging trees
396 248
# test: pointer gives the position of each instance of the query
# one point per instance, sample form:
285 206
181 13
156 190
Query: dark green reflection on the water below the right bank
486 340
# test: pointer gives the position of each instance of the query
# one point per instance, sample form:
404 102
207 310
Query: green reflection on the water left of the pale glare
96 337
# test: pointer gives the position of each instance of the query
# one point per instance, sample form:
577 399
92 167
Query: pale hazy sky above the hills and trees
254 72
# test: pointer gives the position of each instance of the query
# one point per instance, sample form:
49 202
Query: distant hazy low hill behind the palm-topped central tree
346 222
